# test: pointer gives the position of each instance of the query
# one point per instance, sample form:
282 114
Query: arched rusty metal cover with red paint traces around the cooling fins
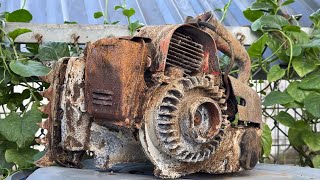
173 44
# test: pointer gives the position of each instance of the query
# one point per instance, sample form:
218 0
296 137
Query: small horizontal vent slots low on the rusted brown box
102 97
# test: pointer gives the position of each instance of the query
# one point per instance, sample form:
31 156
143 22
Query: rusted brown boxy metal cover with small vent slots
114 73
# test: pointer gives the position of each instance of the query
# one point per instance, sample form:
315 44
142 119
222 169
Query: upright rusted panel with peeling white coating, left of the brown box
75 121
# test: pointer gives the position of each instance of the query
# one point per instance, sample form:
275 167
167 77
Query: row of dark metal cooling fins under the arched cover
185 53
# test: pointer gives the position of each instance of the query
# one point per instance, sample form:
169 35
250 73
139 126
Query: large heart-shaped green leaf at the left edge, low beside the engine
21 129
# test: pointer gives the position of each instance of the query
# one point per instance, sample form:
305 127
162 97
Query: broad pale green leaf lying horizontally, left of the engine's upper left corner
28 68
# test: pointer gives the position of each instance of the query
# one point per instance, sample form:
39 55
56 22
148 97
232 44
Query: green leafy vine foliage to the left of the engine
18 127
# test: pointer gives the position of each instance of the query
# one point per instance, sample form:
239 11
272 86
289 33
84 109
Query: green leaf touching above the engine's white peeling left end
52 51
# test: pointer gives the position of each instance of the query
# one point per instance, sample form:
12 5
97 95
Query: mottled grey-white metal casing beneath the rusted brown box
113 147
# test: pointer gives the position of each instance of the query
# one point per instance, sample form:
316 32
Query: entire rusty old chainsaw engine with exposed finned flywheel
159 96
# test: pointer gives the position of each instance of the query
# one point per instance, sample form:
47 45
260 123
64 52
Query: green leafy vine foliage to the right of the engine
299 54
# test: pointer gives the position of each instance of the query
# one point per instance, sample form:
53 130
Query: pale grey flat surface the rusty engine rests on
135 172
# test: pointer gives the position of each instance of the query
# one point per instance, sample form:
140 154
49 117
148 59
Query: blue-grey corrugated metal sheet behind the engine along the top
149 12
